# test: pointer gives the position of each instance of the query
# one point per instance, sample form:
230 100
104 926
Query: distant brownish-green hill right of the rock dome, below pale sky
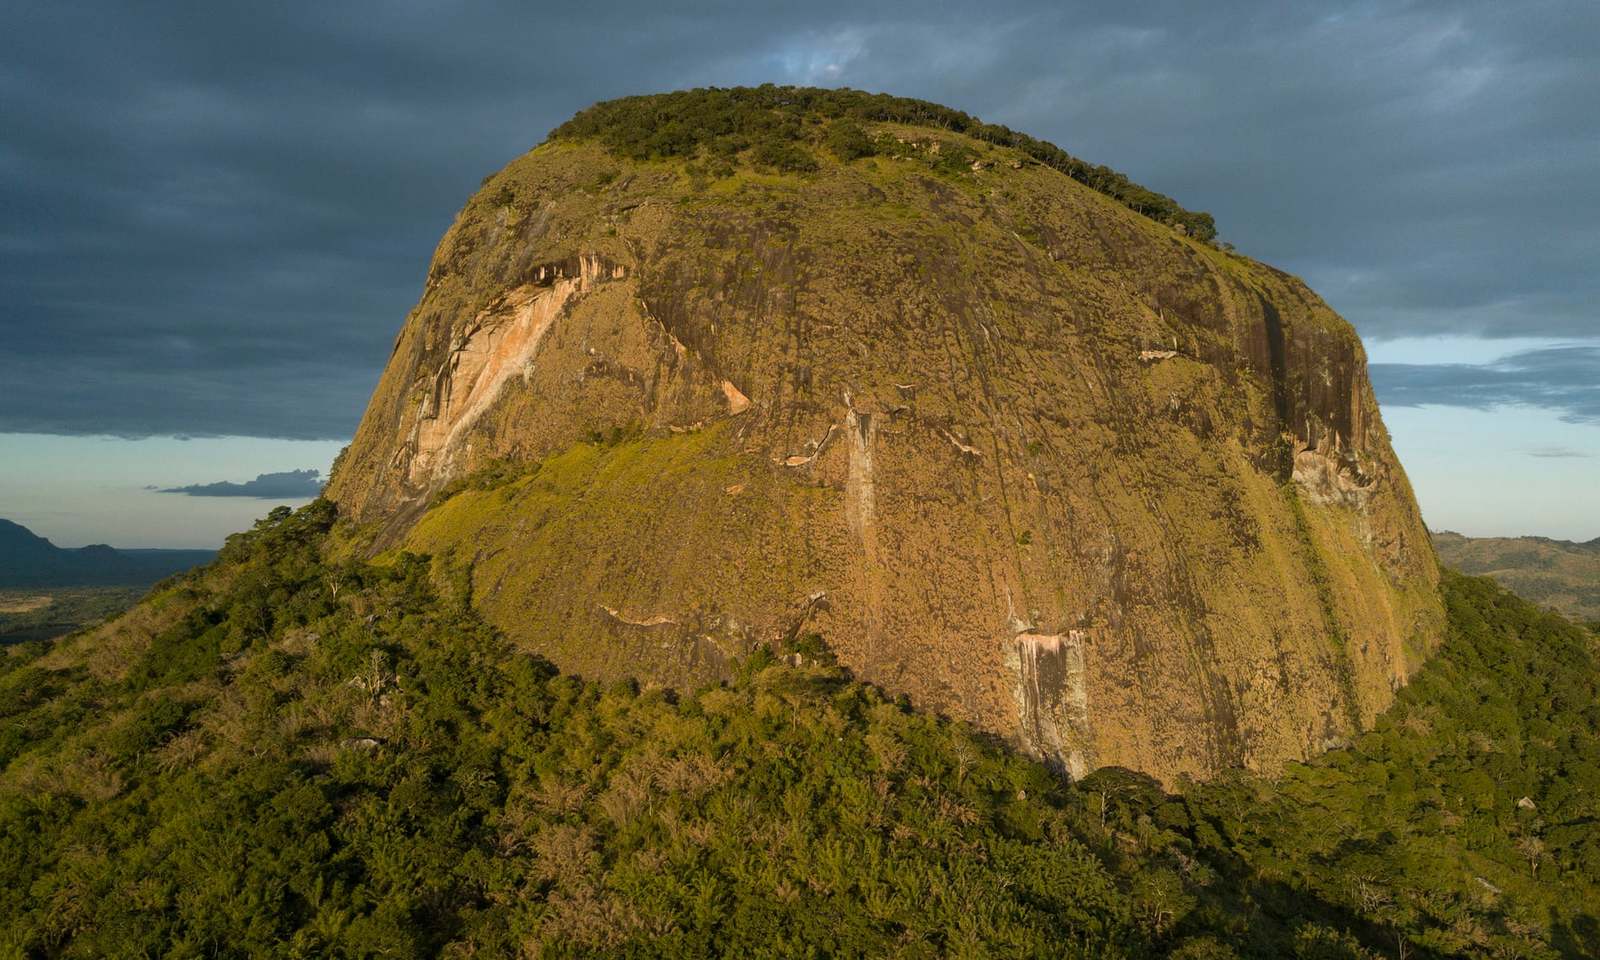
1559 575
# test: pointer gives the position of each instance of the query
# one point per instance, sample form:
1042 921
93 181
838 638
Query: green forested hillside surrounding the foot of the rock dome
294 754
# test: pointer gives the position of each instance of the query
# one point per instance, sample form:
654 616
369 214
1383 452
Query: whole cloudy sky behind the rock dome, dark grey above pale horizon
214 217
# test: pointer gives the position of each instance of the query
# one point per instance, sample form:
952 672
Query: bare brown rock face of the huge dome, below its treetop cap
1006 444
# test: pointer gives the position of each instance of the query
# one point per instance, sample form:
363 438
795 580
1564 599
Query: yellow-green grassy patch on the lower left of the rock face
567 527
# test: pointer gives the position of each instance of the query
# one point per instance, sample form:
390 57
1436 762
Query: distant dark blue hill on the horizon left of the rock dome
31 561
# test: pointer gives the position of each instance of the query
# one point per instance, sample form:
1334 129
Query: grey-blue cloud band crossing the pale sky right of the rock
1559 378
